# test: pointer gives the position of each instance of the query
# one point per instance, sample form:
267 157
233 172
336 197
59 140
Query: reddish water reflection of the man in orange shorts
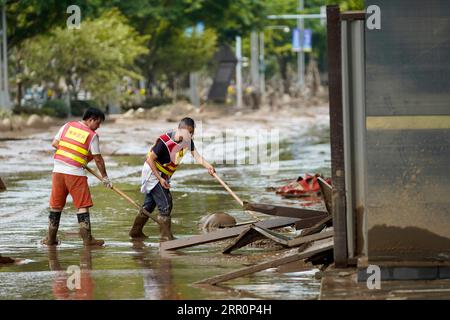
60 288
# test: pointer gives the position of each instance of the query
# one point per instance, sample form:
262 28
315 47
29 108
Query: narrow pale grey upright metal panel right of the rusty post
354 132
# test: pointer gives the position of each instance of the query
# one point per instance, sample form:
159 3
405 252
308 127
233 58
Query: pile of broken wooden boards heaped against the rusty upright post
313 244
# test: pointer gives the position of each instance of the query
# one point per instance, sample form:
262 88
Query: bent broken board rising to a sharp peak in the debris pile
254 233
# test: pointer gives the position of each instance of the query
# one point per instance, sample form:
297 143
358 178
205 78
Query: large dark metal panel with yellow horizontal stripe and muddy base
408 131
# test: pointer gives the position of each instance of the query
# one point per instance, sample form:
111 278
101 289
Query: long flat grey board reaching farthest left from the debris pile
223 234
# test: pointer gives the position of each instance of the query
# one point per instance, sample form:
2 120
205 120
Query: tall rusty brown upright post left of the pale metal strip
337 134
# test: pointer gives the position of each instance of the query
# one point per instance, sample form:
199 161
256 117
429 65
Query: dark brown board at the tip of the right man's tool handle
280 211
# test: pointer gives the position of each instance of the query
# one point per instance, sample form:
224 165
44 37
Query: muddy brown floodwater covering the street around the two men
126 270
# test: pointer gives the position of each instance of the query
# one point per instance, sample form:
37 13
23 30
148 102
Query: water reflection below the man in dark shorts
157 274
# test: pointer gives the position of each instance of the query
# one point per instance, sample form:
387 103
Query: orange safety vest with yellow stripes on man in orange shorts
73 147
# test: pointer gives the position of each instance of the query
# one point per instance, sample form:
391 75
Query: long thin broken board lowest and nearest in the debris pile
311 251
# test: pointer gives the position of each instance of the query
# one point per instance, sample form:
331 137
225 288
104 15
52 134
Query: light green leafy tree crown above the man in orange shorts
95 58
